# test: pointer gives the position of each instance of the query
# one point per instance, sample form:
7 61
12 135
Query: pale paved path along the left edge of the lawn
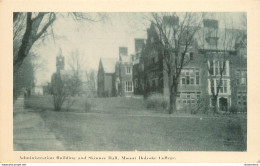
30 132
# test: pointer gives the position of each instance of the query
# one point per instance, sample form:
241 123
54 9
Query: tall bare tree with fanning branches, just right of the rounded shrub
176 33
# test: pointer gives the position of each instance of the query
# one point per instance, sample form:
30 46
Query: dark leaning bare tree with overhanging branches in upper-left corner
30 27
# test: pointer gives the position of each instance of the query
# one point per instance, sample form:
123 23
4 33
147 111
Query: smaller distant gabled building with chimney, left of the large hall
115 76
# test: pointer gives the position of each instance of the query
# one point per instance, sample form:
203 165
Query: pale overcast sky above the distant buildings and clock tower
93 40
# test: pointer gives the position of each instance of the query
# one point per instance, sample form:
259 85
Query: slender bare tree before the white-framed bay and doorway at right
217 46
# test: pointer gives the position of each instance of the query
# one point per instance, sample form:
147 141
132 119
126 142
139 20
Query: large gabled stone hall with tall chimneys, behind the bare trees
208 53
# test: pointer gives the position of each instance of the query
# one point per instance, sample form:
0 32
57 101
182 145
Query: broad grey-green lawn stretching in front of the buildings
123 124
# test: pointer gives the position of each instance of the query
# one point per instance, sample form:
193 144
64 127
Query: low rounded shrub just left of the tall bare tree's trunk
157 101
